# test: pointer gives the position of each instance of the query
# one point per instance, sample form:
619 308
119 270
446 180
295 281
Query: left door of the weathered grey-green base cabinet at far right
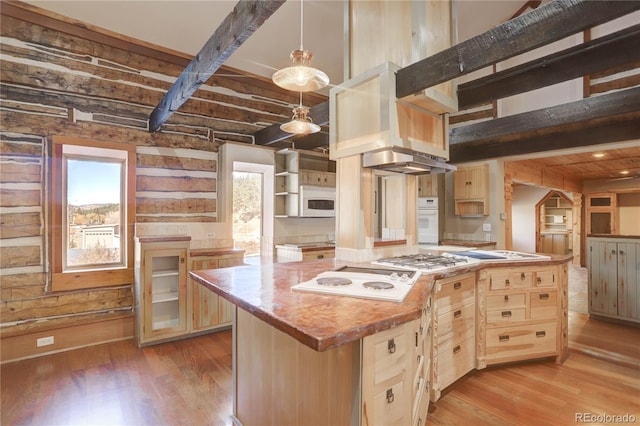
603 282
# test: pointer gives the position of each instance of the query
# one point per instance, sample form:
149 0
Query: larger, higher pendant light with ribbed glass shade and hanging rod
301 77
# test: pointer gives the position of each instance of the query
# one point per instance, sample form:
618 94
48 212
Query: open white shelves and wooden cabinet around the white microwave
294 168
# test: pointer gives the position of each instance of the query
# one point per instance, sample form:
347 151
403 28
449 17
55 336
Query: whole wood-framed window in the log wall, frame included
91 213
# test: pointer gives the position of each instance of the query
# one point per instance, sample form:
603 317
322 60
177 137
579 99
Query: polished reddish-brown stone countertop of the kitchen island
324 321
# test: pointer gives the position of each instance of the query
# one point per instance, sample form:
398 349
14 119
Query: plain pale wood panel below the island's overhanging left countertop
280 381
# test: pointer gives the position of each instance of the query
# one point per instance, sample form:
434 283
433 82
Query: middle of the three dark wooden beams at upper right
613 50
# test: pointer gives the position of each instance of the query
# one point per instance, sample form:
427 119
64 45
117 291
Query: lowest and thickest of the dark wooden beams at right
608 118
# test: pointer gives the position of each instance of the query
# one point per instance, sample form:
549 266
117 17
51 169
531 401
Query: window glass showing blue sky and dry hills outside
94 212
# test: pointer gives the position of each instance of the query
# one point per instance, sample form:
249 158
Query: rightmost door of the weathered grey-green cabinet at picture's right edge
628 279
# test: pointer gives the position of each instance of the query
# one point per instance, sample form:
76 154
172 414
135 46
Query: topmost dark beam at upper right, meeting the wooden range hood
546 24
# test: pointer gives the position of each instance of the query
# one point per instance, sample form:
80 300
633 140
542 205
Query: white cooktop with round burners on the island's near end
367 283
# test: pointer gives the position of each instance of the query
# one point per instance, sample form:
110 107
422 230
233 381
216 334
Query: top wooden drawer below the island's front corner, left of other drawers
390 351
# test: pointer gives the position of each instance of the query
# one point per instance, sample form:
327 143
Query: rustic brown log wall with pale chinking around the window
68 83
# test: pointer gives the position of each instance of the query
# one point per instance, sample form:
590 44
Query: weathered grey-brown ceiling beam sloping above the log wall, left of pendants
244 20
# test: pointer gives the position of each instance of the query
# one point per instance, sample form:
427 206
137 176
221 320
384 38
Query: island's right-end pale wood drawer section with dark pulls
523 313
